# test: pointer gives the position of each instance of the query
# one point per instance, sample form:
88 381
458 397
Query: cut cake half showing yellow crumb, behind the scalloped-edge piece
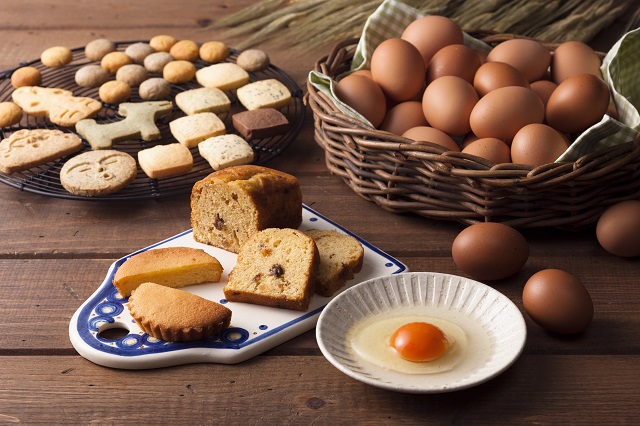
170 267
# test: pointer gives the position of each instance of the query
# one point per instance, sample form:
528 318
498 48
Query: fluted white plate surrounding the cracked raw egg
490 320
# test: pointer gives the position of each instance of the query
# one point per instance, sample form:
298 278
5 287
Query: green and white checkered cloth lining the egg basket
620 69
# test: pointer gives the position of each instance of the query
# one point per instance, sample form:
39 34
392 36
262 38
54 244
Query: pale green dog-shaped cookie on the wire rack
139 122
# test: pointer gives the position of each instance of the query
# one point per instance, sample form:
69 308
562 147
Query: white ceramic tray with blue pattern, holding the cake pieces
253 330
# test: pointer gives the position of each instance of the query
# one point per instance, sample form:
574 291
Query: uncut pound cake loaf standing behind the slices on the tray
232 204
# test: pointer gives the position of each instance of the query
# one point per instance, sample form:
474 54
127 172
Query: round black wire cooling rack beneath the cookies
45 179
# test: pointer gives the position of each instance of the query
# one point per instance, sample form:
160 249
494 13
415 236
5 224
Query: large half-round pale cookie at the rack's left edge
26 148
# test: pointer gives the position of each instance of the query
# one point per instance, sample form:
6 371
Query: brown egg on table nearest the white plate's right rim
557 301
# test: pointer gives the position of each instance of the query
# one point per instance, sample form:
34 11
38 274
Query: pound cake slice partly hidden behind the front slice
341 257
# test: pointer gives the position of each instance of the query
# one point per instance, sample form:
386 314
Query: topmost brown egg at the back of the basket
431 33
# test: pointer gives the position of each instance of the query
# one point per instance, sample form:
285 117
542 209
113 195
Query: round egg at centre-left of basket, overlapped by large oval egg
447 104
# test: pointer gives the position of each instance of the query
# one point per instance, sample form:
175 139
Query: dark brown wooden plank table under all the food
56 252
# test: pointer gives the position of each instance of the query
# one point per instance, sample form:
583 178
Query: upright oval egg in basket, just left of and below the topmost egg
398 68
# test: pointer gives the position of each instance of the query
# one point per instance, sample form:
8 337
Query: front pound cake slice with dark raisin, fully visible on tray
277 268
